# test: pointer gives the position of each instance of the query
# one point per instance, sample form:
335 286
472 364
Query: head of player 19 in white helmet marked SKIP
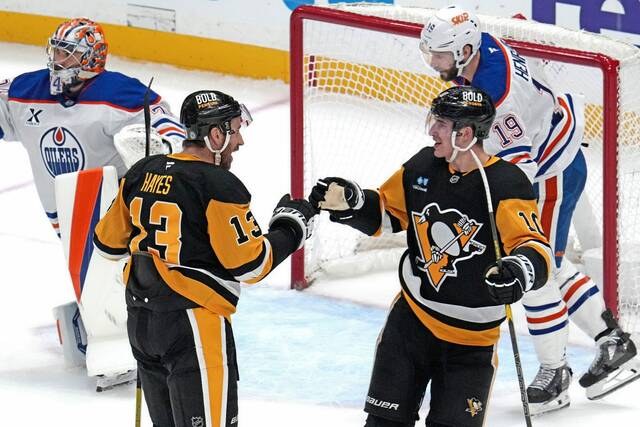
444 37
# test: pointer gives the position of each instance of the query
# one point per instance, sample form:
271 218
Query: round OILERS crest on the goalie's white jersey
61 151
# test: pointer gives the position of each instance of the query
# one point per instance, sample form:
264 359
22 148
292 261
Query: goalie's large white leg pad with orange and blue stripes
80 197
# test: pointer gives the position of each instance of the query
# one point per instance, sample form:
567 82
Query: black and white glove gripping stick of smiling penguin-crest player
509 279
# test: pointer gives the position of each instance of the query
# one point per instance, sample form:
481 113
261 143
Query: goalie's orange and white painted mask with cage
77 51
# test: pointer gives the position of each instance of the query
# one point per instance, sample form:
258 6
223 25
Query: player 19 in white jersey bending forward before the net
541 132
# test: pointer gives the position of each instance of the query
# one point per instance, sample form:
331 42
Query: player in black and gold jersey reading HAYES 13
187 221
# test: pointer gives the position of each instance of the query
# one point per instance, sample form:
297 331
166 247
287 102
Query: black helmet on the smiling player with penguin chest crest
466 106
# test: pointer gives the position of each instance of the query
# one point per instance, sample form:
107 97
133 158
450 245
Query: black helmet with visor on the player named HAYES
205 109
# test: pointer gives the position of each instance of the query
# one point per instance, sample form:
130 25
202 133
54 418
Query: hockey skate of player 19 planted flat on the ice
549 390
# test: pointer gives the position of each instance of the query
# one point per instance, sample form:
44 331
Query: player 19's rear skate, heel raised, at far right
614 365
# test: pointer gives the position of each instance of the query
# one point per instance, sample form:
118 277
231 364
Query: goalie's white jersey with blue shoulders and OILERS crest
64 135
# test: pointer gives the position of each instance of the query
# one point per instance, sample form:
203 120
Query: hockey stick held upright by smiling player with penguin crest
512 329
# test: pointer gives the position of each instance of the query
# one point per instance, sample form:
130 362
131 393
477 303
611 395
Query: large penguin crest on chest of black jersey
445 237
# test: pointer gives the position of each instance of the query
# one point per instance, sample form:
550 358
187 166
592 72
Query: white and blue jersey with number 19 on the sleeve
535 128
